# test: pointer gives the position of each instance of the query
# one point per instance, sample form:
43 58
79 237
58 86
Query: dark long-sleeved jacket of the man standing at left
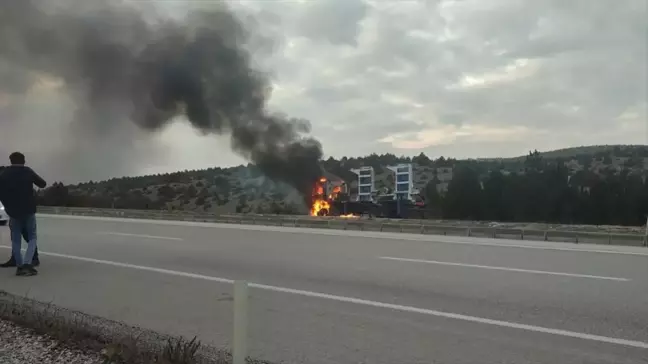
17 190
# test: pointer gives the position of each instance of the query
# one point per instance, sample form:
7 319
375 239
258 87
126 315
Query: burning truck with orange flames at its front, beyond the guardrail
331 197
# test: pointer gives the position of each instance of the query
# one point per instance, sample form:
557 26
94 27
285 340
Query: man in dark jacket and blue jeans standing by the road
17 194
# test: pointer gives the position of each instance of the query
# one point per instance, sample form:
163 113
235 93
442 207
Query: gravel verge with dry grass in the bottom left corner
37 332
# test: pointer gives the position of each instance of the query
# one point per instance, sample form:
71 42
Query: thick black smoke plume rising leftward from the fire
125 64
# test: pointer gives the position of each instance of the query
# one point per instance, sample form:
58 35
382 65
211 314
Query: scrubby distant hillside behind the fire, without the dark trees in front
245 189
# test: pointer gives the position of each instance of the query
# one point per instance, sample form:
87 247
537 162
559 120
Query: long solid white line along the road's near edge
359 301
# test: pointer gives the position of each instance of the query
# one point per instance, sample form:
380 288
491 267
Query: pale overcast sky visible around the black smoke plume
463 78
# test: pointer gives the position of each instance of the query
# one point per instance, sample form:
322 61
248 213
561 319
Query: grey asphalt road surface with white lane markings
335 297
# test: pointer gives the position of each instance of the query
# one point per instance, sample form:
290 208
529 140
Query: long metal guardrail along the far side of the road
379 225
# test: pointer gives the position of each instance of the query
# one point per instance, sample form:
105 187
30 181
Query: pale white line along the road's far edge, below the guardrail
434 239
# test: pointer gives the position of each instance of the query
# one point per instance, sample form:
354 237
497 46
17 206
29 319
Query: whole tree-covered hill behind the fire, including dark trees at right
589 184
